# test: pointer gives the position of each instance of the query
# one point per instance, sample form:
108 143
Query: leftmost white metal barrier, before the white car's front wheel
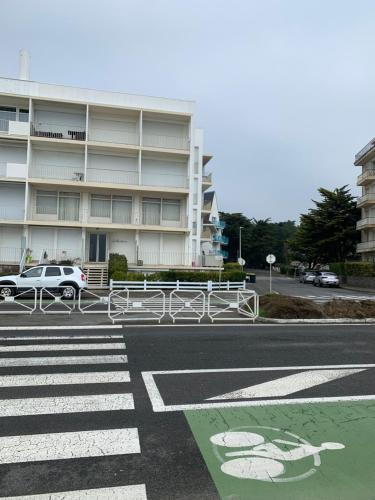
17 301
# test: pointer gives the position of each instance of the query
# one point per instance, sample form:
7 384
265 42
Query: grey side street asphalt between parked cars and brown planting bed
290 286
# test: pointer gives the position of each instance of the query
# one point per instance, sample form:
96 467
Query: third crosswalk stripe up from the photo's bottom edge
65 404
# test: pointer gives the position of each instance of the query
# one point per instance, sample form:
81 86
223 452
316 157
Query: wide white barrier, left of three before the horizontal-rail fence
132 305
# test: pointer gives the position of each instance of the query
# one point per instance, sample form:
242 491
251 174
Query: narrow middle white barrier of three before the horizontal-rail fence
187 305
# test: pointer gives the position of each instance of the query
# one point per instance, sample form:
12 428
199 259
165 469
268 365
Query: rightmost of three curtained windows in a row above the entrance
156 209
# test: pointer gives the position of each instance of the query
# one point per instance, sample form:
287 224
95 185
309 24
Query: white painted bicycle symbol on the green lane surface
266 458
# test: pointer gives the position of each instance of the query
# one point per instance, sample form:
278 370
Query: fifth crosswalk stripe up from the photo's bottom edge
62 360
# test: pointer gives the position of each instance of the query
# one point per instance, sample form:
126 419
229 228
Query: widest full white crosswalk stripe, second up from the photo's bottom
64 445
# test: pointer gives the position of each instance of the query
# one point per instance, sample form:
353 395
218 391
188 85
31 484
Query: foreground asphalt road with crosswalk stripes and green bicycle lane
84 412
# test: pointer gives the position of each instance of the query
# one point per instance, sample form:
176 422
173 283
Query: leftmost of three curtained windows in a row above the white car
64 205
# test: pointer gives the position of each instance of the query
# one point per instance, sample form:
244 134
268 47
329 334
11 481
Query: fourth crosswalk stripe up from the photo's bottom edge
63 379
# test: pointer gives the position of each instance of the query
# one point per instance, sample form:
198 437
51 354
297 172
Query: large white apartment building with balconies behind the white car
86 173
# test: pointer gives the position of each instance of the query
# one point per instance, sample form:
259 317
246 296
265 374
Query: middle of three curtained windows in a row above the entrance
116 208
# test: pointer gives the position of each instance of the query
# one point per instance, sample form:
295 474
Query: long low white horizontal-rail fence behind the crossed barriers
178 285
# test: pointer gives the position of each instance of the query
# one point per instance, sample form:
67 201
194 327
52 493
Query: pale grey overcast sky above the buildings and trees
284 88
